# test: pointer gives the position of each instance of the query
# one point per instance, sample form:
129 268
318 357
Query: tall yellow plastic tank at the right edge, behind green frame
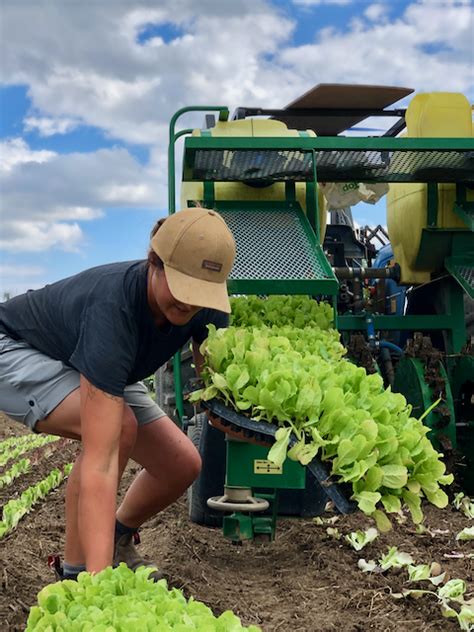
432 115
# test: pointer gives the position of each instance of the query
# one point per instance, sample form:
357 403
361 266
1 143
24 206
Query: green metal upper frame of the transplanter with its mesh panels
259 226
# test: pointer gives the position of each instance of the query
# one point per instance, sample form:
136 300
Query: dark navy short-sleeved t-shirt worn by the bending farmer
99 322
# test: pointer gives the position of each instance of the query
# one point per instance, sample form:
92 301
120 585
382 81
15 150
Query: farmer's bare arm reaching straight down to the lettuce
101 421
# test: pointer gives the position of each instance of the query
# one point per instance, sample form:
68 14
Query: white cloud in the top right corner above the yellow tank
395 53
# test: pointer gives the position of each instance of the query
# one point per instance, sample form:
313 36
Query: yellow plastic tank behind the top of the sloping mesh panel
227 191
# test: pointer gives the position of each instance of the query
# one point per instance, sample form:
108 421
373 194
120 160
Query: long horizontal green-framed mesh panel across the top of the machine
337 160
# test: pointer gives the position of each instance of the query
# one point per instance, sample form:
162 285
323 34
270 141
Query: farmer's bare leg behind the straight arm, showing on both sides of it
65 421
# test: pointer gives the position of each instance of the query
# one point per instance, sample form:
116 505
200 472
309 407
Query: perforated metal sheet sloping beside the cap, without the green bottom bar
273 245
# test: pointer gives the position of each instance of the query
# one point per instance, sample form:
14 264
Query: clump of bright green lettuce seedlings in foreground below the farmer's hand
121 600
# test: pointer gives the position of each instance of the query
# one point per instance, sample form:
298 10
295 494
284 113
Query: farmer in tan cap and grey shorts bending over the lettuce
72 355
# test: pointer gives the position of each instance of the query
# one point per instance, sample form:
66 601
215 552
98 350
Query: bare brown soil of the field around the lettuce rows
305 581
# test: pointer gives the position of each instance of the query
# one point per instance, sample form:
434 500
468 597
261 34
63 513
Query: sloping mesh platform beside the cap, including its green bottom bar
276 249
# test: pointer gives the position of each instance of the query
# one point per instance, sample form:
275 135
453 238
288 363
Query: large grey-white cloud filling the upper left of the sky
109 80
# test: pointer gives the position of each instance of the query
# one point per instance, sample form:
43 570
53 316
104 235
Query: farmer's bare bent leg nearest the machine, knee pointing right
171 463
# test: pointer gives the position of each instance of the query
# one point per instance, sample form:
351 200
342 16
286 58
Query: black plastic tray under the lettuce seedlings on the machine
264 432
